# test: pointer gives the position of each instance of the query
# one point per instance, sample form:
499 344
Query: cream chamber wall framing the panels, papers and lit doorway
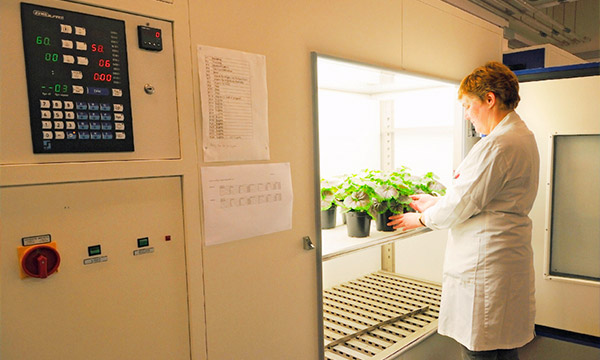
257 298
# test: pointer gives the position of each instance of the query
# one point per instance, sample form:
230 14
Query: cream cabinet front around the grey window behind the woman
567 106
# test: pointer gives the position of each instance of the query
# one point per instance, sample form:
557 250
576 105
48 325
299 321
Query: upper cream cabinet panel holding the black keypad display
86 84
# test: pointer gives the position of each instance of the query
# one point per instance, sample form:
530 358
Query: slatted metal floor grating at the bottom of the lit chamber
376 315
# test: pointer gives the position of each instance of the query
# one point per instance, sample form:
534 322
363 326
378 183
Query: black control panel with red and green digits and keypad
77 81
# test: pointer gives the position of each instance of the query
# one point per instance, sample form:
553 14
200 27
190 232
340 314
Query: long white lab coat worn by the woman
488 288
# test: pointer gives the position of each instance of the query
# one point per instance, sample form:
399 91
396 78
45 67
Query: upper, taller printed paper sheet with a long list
233 94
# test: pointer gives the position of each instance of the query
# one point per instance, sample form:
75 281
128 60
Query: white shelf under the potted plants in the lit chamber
336 242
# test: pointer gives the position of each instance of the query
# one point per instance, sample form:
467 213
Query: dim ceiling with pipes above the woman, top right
573 25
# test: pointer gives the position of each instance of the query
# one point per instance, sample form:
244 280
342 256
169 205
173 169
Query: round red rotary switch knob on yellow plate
40 261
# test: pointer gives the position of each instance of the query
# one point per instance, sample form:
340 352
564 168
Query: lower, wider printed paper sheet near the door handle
244 201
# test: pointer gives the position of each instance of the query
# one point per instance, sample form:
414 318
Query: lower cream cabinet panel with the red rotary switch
114 286
